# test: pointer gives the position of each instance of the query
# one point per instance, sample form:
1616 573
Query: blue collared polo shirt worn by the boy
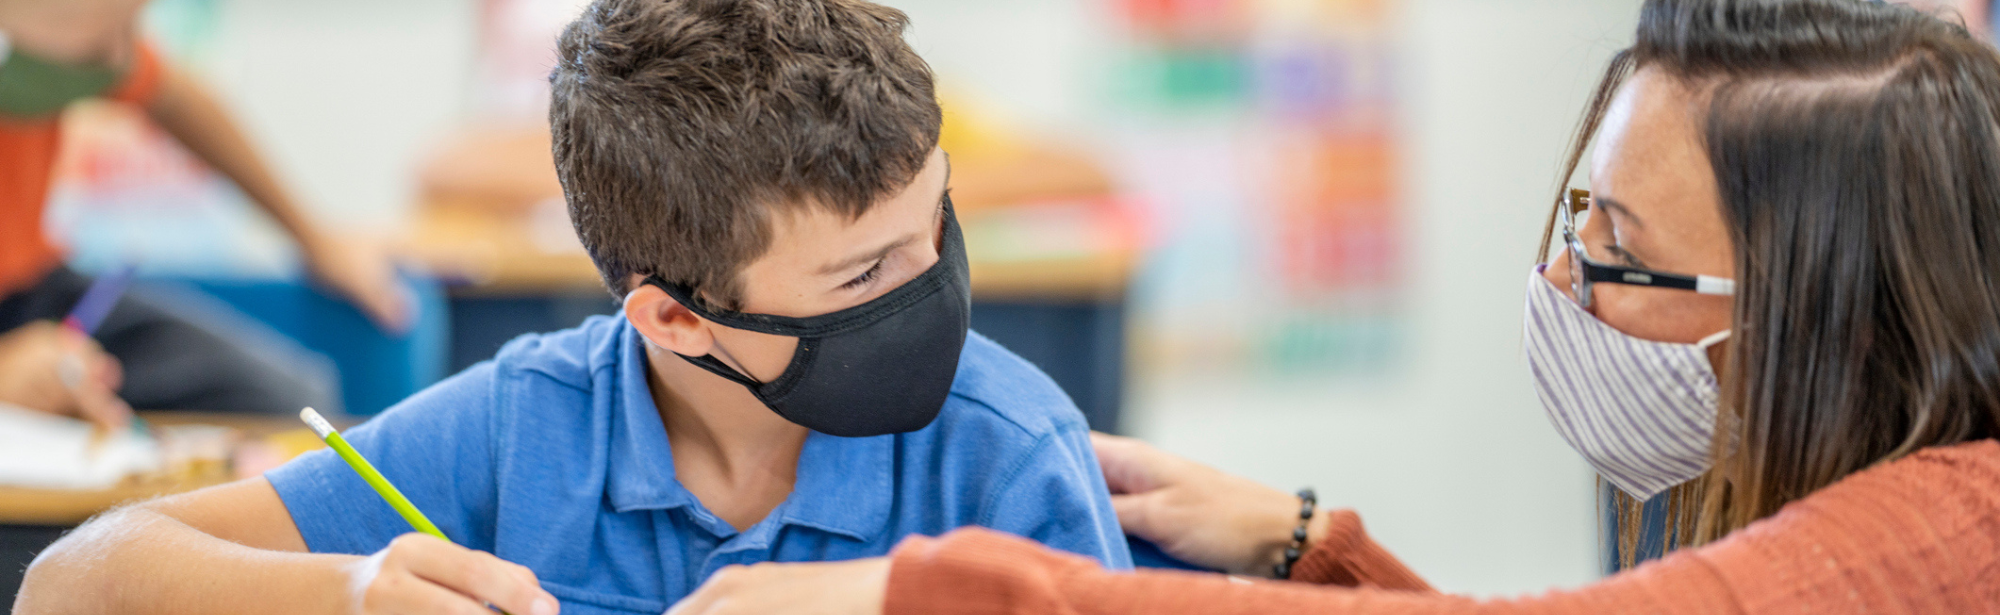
555 458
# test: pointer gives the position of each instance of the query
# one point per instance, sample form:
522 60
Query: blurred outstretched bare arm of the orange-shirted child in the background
187 111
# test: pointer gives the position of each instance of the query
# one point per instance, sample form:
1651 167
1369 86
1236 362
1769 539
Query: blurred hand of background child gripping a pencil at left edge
57 370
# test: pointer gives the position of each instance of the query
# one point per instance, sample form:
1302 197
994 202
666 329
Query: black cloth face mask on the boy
869 370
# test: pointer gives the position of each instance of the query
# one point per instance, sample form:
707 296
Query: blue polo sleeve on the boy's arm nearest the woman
1057 498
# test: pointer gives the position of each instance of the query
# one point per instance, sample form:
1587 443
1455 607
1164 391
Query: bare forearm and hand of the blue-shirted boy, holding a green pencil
235 550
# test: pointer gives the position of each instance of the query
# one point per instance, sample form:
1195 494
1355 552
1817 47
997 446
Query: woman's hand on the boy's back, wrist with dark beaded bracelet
1197 512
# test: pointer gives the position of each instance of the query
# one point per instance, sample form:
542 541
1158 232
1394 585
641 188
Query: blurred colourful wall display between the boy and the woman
1261 135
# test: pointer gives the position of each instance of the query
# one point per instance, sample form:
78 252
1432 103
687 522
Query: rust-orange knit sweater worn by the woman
1911 536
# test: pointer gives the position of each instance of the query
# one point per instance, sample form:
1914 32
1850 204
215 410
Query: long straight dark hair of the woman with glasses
1857 155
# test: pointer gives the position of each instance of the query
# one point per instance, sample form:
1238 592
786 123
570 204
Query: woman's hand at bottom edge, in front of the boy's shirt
837 588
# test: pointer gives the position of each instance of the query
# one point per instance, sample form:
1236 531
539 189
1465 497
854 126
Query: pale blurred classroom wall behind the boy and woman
1447 456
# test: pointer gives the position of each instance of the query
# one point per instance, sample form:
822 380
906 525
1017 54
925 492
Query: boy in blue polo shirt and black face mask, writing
791 380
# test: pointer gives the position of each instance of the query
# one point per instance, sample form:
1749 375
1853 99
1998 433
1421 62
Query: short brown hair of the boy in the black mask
681 123
